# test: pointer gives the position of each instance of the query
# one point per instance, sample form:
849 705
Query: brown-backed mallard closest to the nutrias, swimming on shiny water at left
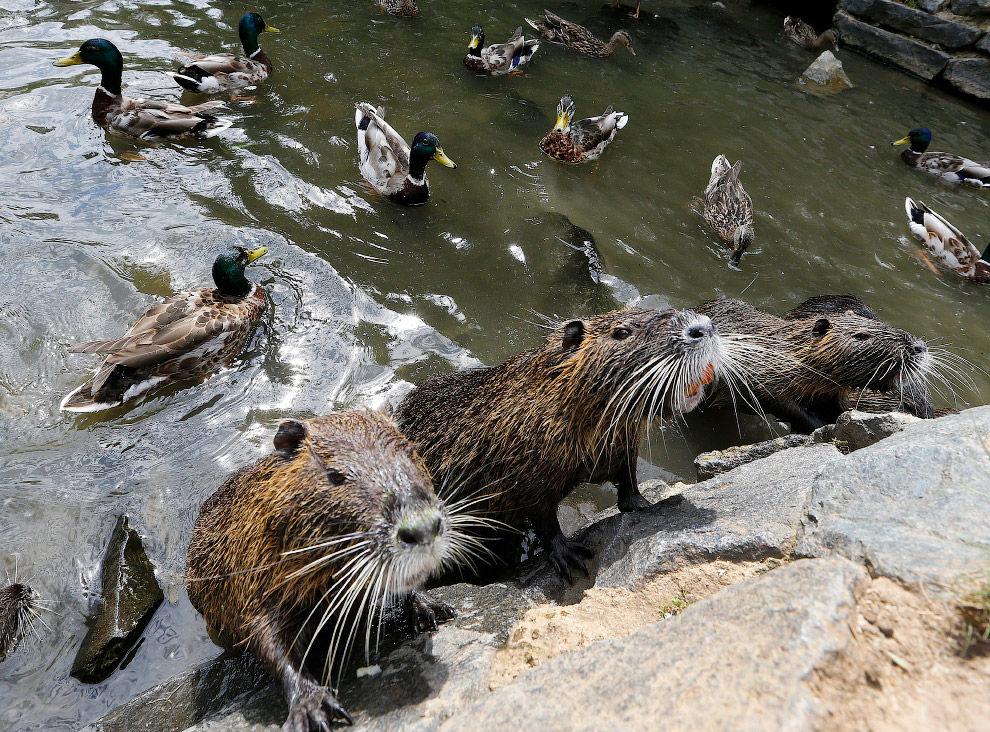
188 335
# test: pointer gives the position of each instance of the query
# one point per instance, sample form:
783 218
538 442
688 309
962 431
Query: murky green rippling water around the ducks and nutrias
366 295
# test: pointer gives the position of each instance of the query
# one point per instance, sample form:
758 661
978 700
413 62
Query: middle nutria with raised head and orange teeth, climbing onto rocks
517 438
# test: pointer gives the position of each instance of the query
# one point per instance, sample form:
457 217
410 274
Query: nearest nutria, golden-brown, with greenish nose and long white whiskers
338 522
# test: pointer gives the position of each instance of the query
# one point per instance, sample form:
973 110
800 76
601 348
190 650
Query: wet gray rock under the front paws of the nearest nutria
422 680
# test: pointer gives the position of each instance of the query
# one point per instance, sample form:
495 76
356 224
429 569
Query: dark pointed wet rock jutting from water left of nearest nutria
130 596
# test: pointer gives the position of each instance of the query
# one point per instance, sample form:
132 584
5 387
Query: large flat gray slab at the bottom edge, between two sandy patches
738 660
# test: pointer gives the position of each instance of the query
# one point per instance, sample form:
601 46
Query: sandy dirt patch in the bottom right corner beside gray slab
904 669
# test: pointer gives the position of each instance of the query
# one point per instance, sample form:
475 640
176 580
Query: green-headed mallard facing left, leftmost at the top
145 119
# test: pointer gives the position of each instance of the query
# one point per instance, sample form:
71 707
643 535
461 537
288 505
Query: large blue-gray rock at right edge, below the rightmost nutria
914 507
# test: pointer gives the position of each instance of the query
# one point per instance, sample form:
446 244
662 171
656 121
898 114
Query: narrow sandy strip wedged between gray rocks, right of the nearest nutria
611 612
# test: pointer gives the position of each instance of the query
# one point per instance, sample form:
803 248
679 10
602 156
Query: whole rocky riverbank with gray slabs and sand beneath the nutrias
806 589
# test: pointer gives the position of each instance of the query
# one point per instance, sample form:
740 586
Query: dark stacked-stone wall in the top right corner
947 41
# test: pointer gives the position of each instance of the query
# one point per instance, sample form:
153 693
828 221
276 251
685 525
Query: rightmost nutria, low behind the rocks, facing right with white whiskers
828 346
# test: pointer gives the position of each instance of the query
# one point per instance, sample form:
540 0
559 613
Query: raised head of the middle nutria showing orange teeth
641 363
